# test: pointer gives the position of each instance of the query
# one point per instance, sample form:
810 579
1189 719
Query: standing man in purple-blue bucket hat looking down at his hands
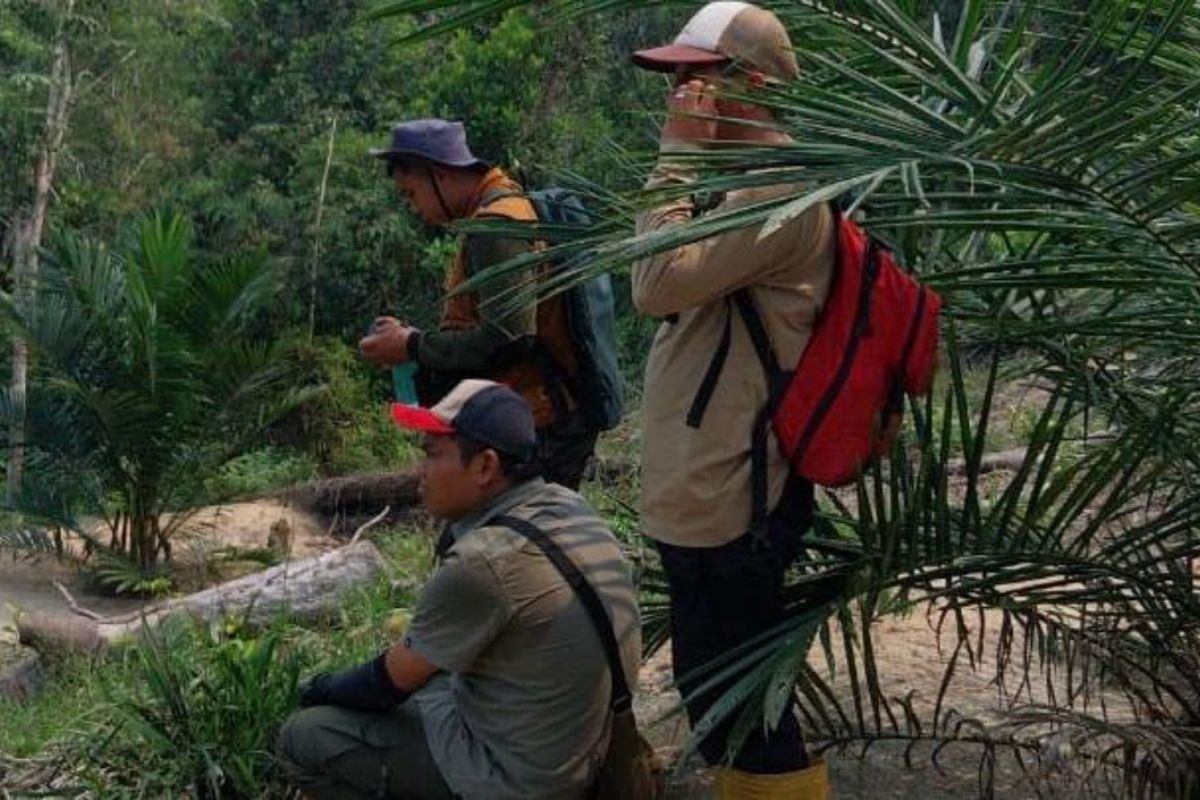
482 334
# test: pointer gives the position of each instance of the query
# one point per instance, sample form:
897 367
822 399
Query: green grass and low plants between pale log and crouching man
194 711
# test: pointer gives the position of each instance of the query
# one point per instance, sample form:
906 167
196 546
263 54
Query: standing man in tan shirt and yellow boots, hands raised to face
701 482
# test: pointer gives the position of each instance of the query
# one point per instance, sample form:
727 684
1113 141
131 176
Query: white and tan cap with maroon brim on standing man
728 32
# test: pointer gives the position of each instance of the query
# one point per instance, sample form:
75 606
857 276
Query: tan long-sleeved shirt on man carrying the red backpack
697 483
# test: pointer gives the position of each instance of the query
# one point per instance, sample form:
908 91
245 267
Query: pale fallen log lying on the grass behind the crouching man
308 591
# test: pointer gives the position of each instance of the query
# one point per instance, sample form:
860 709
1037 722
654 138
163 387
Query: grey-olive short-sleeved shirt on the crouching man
524 709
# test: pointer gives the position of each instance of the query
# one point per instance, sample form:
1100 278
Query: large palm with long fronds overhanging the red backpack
1037 164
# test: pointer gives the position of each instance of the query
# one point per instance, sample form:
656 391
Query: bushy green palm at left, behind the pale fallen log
148 372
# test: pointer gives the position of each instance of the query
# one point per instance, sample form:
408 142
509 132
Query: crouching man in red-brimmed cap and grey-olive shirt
501 689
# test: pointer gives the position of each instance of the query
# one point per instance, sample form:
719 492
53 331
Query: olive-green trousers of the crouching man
331 754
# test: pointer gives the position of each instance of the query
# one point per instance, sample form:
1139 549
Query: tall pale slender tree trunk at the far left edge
29 239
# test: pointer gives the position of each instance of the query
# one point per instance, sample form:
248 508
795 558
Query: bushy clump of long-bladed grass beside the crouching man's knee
196 714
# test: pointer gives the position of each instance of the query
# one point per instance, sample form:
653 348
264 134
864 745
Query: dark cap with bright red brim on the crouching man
484 411
